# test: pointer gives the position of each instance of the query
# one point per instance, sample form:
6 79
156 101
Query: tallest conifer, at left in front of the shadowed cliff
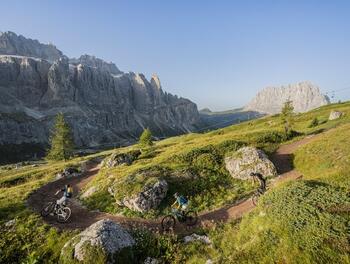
61 140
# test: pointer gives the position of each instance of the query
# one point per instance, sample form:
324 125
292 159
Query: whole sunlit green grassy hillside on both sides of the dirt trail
299 222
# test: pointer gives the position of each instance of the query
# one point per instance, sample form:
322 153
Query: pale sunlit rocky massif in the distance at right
304 95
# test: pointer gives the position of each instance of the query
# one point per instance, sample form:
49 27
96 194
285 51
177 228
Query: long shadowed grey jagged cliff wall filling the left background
102 104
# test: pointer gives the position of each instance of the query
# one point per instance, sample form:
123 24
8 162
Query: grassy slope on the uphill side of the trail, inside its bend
201 155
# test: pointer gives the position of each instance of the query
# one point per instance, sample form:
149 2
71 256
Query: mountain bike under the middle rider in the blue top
189 218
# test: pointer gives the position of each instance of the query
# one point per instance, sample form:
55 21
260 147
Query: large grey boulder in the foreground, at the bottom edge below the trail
104 240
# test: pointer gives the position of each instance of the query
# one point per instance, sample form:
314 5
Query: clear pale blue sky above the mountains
216 53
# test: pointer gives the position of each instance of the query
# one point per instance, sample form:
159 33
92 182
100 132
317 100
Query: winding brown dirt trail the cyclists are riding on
82 217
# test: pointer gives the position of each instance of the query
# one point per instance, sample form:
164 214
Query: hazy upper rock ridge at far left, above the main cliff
12 44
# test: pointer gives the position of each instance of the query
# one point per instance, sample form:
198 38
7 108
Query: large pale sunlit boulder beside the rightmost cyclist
247 160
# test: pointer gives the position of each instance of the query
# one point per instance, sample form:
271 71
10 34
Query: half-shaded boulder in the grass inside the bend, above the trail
149 198
